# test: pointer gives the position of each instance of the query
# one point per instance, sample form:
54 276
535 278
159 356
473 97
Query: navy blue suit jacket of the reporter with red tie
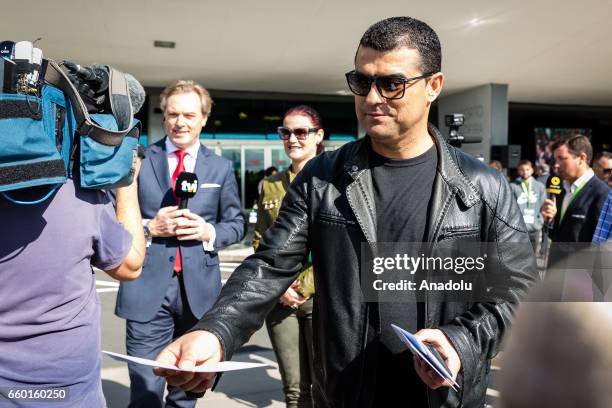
217 202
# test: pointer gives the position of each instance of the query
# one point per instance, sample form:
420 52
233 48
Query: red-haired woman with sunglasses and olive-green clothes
289 324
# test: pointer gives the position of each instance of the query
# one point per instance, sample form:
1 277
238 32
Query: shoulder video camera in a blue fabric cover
58 119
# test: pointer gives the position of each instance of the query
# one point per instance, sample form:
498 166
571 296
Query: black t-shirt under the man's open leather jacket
402 195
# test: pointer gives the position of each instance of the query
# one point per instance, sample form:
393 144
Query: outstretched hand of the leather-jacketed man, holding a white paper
187 352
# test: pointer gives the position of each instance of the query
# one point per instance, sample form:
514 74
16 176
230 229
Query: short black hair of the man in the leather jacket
396 32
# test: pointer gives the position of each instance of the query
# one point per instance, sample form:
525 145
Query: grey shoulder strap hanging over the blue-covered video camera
119 101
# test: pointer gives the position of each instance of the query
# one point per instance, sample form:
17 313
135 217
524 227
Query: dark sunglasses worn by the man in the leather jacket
389 87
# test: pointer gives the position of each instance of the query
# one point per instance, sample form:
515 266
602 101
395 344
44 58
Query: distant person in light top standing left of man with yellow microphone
530 195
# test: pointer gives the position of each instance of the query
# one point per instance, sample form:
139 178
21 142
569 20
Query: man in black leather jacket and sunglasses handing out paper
334 207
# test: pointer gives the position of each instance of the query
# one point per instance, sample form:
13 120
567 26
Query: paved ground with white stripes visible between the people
260 387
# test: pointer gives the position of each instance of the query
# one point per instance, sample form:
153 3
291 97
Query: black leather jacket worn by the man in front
329 209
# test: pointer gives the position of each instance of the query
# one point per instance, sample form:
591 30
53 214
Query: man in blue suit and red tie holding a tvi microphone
181 279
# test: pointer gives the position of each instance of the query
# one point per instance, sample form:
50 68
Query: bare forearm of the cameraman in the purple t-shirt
128 213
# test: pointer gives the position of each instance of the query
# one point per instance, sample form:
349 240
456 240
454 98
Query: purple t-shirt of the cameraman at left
49 308
